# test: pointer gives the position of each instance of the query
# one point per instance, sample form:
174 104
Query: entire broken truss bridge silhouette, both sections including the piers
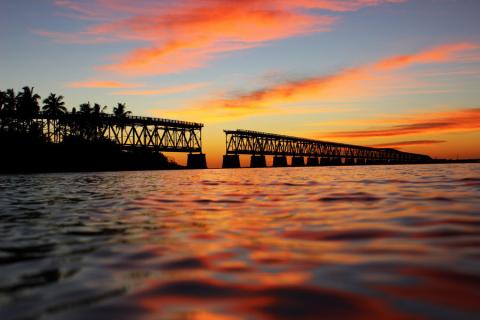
164 135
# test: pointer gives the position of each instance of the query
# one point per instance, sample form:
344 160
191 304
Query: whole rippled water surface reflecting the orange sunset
396 242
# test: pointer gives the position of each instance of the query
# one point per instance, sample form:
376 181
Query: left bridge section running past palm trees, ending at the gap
129 132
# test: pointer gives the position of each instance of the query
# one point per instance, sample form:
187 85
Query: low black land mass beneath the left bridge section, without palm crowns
29 154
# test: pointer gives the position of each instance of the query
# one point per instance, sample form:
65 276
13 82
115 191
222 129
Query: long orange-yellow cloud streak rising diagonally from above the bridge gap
364 81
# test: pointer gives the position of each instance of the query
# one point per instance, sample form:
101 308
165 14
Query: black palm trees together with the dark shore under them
26 147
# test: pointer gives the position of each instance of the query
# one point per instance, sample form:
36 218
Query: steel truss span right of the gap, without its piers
261 143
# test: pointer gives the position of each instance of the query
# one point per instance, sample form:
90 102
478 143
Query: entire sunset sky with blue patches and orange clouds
387 73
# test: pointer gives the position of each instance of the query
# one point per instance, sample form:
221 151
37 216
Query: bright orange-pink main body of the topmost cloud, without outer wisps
188 38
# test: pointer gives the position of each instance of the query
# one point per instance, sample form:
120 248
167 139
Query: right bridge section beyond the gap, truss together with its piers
259 144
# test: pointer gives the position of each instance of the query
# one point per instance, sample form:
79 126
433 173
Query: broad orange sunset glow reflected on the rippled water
259 247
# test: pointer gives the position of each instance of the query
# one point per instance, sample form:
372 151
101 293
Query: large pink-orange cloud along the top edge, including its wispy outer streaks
187 34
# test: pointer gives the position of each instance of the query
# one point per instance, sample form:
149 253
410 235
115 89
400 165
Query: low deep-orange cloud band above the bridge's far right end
453 121
